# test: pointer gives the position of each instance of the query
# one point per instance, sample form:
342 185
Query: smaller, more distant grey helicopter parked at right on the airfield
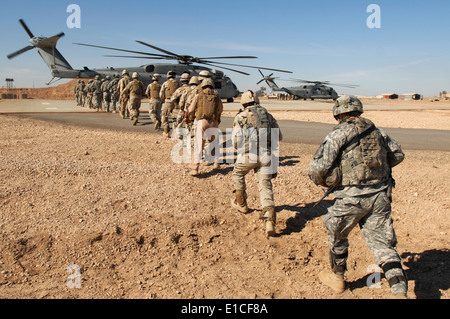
310 90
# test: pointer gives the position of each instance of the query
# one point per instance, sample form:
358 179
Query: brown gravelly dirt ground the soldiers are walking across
136 225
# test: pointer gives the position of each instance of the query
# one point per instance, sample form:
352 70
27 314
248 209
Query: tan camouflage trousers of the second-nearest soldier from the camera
264 179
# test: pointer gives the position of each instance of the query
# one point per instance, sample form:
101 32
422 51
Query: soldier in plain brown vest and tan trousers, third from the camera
206 109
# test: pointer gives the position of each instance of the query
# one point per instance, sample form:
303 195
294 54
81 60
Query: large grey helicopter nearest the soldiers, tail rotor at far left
60 68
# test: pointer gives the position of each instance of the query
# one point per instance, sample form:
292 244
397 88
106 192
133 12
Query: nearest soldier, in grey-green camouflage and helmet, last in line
356 159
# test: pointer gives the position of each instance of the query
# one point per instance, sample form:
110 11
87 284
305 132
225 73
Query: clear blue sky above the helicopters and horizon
317 40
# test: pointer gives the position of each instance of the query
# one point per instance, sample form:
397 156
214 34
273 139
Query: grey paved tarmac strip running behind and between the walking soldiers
66 112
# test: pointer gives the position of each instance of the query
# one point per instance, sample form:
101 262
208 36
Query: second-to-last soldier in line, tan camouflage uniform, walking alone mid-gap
250 127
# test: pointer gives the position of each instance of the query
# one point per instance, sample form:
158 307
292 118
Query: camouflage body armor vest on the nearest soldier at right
364 160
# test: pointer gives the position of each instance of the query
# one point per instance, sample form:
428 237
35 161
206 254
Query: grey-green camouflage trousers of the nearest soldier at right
373 214
